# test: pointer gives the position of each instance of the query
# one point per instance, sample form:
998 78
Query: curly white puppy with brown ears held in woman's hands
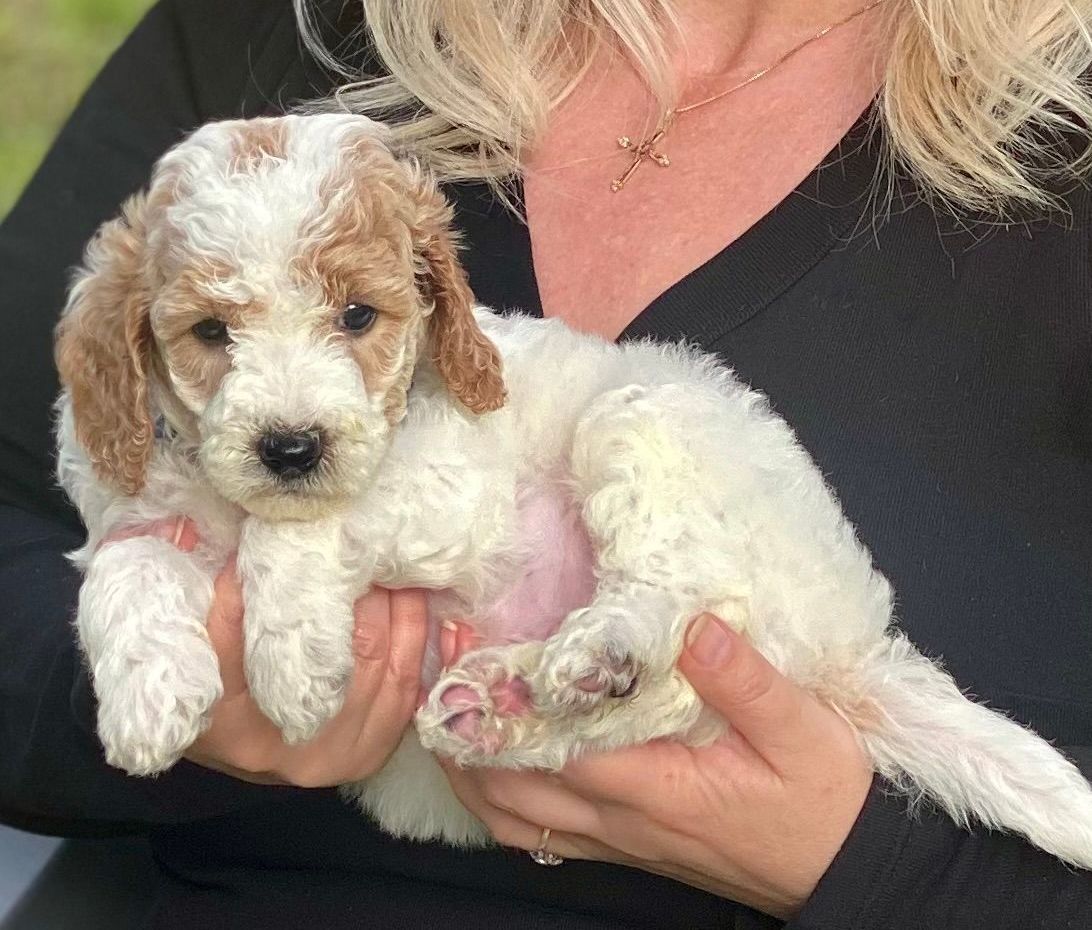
278 340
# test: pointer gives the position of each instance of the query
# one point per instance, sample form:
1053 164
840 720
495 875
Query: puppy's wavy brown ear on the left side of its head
103 351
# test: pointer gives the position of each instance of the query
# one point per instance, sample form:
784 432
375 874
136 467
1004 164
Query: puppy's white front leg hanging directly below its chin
299 624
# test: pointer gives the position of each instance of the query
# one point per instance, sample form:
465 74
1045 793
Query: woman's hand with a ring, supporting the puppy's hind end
756 818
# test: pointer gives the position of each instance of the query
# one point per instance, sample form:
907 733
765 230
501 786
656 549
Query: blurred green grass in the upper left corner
50 51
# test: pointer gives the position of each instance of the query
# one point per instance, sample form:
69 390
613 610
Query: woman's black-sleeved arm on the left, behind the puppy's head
187 63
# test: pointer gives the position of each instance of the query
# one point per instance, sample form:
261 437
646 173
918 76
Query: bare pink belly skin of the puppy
560 576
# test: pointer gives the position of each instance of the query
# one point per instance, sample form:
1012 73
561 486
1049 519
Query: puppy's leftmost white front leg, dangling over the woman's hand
141 625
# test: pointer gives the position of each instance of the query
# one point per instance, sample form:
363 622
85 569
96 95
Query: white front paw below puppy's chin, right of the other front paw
298 673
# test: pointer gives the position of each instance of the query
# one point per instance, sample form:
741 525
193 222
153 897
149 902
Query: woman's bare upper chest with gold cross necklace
603 255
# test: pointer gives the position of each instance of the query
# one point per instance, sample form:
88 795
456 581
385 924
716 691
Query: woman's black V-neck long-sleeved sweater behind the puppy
940 373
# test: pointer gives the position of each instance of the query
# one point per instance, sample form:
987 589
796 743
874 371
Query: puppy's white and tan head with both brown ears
271 295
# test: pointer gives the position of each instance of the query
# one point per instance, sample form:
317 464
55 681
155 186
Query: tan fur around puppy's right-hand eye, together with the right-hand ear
394 223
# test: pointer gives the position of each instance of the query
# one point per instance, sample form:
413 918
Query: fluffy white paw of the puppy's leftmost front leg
151 712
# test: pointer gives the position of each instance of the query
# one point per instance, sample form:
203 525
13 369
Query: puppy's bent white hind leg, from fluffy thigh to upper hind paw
666 511
